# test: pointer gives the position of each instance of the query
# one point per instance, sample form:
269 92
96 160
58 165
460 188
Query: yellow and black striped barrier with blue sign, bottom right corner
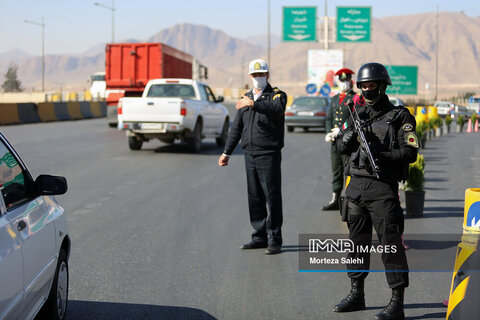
468 246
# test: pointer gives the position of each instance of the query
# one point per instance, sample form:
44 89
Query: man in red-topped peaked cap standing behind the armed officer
336 116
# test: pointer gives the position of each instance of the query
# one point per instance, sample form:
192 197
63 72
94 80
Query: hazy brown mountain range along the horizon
396 40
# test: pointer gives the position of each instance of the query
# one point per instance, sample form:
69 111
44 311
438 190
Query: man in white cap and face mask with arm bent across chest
260 124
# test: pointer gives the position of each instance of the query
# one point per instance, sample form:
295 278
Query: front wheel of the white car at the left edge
56 305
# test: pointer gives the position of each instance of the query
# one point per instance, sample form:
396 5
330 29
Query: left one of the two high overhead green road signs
299 23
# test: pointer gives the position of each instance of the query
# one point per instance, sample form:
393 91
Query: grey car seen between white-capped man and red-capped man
307 112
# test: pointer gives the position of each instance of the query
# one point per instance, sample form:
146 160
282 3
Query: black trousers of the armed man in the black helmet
386 216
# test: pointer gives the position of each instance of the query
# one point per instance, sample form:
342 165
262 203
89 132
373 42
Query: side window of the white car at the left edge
12 179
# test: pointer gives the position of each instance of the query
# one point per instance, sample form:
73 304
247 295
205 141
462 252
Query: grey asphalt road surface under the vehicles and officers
156 233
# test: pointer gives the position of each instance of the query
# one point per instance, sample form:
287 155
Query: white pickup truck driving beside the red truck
171 109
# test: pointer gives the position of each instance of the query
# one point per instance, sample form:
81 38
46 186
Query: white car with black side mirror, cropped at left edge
34 242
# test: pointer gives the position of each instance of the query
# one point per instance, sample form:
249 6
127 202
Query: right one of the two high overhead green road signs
353 24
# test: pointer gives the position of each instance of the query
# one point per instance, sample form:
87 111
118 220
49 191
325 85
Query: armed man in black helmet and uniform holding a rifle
372 195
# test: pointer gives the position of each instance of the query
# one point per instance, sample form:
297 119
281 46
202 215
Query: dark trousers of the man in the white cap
264 182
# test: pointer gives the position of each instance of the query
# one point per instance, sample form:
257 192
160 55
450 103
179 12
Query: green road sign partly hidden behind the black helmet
404 79
